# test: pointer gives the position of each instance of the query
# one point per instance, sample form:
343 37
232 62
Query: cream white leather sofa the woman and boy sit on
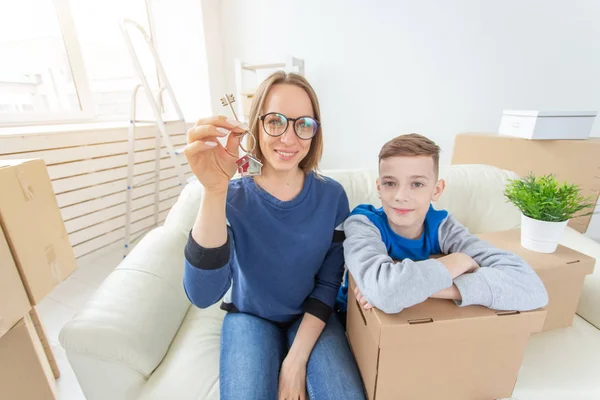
138 337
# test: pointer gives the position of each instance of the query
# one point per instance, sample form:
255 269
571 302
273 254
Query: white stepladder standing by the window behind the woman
162 135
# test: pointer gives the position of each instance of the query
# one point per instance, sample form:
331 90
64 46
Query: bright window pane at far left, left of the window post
35 74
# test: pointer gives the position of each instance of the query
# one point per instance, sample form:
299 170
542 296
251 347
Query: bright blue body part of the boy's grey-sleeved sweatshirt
397 246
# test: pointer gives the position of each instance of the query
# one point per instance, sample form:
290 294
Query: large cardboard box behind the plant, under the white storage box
576 161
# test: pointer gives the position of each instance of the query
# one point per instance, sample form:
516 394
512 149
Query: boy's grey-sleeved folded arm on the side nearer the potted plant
504 281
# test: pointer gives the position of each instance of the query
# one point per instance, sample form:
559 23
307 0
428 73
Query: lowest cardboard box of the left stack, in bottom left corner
24 369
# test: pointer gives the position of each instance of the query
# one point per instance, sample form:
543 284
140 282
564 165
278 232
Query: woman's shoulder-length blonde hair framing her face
311 161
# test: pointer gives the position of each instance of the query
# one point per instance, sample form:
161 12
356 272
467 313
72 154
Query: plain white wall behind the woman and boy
436 67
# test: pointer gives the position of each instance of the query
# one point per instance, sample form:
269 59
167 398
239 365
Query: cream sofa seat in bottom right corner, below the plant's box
561 364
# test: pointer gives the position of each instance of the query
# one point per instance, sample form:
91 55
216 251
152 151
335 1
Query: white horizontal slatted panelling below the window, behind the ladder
88 169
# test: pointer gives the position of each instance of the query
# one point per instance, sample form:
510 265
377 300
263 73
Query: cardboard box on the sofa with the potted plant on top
562 272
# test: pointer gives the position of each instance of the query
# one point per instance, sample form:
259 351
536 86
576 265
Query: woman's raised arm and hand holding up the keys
208 253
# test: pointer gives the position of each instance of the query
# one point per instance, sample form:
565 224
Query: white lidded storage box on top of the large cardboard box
547 125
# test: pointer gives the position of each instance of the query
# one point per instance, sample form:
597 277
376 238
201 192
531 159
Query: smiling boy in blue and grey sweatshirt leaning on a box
409 229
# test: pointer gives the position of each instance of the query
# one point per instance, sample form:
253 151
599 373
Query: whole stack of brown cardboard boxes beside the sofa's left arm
35 256
